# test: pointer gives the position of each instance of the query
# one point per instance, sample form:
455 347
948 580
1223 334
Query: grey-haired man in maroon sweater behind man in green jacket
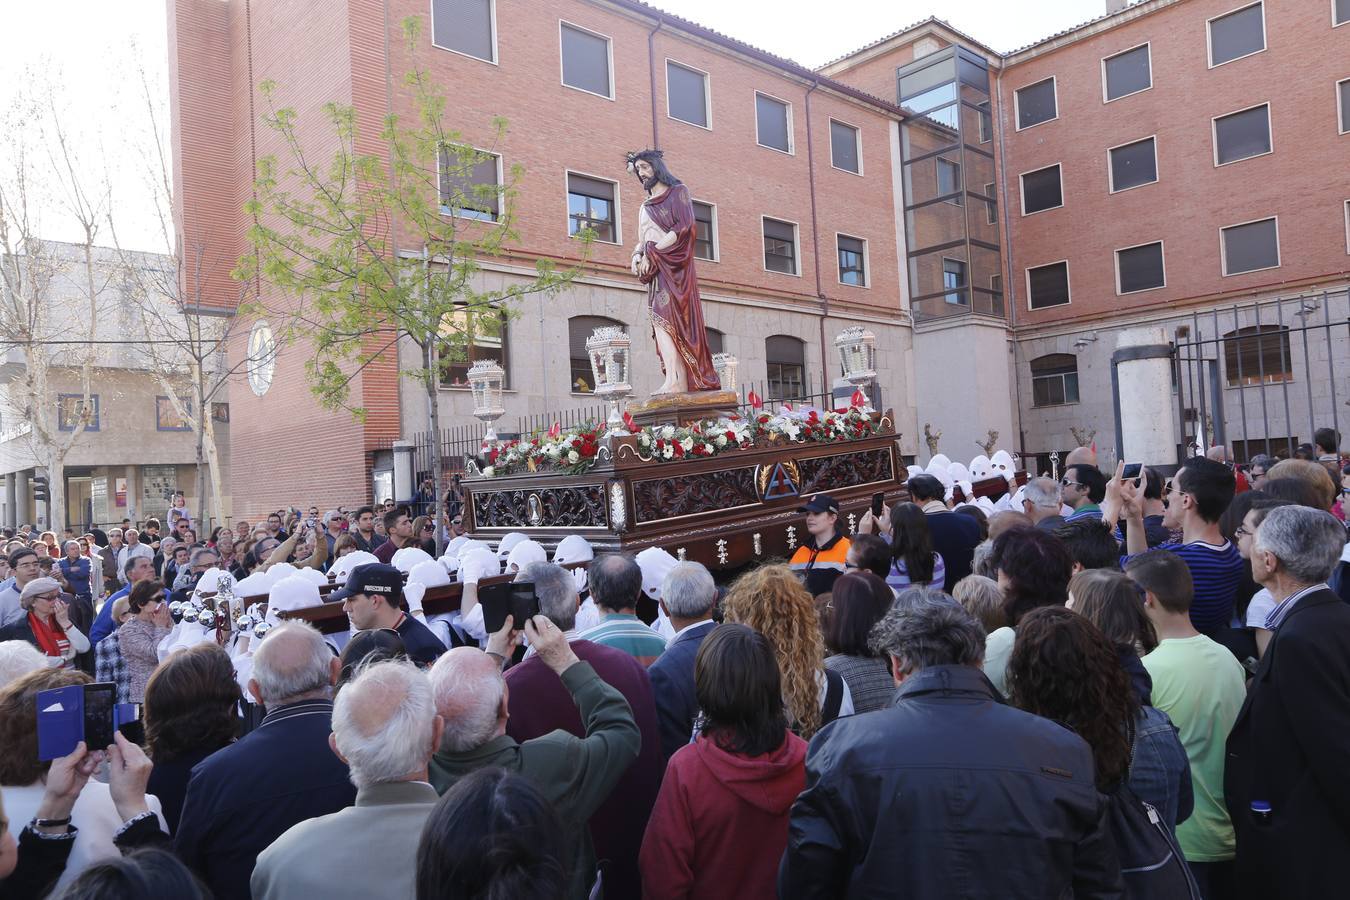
539 704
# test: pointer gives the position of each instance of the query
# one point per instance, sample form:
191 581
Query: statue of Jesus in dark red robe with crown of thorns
664 260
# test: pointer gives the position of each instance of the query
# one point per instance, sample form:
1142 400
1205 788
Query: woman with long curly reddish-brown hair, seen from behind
773 601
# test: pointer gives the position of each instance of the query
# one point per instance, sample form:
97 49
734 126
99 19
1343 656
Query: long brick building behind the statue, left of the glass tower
796 176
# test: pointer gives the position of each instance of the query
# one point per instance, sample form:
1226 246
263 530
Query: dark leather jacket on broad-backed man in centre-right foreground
950 794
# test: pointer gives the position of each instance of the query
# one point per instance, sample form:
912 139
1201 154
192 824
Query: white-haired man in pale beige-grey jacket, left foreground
385 728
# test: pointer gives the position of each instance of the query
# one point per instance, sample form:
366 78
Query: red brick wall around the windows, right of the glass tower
1303 181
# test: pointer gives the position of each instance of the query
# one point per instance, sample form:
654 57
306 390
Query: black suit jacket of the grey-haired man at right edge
1291 748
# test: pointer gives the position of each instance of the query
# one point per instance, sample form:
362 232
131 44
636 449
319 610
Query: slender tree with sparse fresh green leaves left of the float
383 245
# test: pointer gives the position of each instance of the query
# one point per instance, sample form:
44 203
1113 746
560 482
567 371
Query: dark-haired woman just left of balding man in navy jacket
191 712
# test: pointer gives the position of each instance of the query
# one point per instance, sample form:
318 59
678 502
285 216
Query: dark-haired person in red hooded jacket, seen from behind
720 824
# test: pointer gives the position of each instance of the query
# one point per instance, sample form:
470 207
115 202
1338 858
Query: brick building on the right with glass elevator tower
1178 164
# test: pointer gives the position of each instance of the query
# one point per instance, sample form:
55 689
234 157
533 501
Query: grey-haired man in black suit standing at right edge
1285 781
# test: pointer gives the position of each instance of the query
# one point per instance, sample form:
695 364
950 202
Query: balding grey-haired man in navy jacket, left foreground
246 795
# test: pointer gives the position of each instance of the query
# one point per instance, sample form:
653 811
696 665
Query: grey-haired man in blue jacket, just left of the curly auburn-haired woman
689 597
